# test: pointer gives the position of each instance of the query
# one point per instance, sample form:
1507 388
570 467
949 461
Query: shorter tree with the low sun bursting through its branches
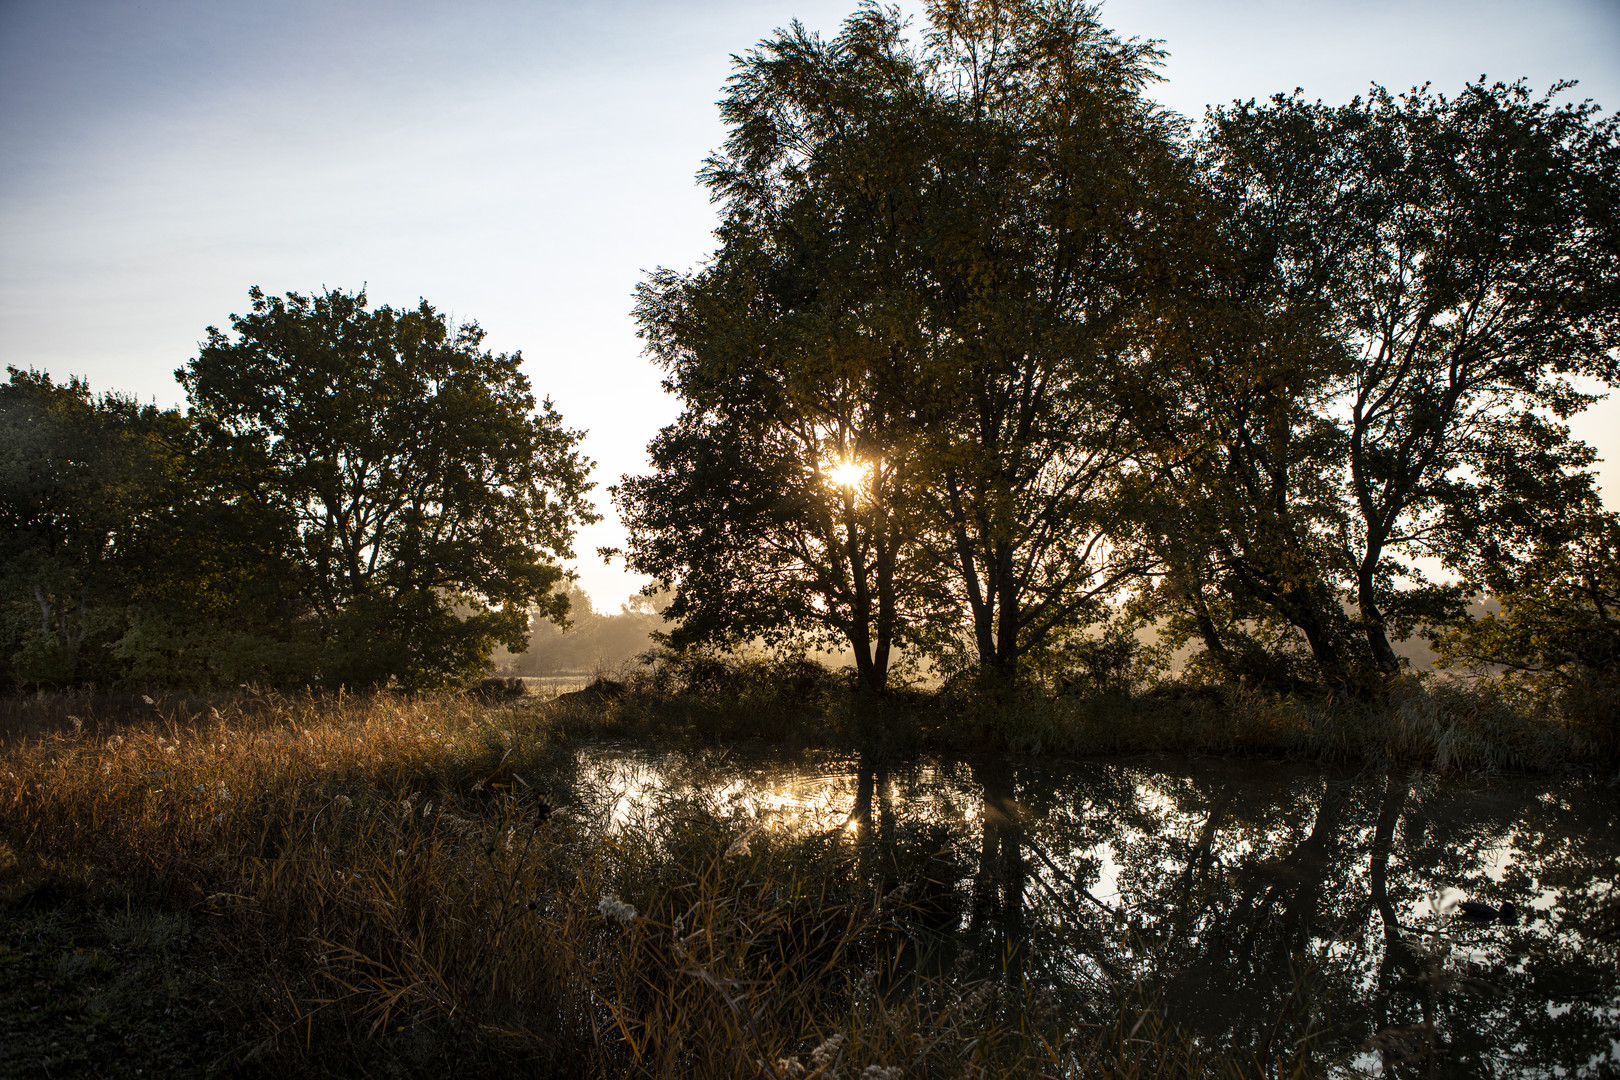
778 500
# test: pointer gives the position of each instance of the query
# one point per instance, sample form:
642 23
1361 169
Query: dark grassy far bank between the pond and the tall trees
1423 721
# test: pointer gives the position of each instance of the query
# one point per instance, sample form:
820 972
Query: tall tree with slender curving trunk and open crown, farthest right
1410 283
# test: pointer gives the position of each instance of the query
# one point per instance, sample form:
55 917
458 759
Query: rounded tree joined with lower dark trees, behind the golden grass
357 498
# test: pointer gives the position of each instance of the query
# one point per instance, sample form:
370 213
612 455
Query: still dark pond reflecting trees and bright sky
1234 891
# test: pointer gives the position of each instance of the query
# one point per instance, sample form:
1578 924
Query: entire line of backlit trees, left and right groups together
995 365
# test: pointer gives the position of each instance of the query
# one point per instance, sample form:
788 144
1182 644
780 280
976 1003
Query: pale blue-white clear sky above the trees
524 164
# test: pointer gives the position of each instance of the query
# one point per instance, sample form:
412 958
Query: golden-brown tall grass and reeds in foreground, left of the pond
383 887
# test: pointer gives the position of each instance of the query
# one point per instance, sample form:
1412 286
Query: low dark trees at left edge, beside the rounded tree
140 551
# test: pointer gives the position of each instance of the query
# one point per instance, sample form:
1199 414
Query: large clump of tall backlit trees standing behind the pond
1247 380
